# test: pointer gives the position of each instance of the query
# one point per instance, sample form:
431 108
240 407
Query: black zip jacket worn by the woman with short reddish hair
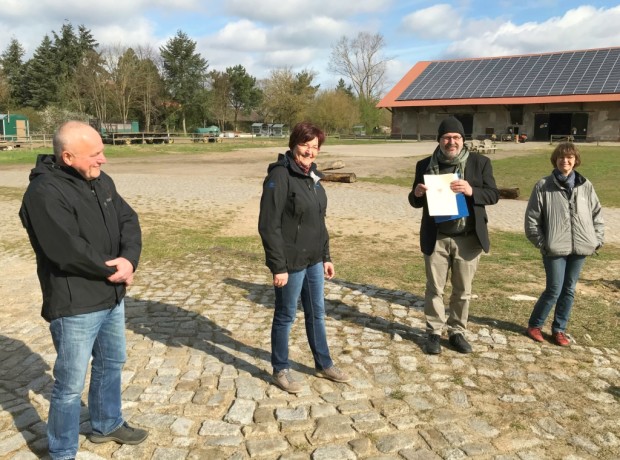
292 217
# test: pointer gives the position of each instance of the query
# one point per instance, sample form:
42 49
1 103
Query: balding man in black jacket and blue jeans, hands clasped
87 242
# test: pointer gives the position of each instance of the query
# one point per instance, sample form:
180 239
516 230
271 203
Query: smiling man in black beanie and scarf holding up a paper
453 244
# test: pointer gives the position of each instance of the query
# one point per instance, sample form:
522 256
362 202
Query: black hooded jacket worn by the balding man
75 226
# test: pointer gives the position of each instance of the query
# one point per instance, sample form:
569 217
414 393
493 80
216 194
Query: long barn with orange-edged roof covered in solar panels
568 93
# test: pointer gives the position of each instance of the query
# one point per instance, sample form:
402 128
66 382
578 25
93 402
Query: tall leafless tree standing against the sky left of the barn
361 61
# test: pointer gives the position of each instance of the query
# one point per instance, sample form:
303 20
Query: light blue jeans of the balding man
100 334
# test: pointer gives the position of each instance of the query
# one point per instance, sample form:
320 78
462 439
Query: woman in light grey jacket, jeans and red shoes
564 220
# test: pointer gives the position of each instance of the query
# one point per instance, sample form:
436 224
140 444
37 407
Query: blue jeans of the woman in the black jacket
307 283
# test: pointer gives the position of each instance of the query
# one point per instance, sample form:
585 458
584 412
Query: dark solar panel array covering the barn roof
556 74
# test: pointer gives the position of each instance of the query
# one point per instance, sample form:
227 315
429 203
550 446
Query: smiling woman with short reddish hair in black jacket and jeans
292 227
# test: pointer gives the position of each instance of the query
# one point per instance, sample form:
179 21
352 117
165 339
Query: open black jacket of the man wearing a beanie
479 174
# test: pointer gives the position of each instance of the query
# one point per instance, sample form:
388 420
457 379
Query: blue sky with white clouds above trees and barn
273 34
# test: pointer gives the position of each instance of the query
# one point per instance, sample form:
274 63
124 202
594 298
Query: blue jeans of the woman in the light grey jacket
562 275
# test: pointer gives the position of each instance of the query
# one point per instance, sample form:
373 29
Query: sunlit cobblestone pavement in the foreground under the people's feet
198 376
